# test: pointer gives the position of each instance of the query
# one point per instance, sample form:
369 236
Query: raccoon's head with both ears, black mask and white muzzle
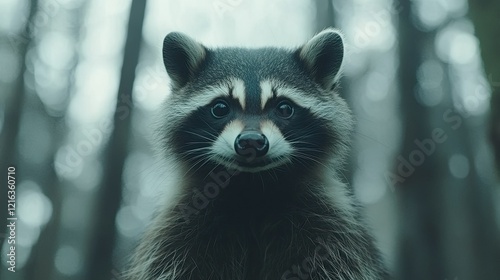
255 109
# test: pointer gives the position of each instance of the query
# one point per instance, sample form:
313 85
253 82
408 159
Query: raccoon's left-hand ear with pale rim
182 56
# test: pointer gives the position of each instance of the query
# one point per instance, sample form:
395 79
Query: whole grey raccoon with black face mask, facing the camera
259 138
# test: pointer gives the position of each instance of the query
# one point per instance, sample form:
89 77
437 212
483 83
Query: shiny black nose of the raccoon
251 144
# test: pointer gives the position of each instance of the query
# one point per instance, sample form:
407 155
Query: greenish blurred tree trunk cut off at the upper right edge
486 17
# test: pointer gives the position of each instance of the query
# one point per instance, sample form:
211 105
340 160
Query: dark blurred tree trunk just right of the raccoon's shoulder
419 252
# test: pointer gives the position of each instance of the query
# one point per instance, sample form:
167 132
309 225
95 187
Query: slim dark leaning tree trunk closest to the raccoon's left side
99 263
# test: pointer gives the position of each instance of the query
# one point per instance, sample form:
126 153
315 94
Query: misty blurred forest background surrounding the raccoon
81 81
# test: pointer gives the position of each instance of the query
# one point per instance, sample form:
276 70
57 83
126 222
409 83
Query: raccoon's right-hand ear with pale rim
322 56
